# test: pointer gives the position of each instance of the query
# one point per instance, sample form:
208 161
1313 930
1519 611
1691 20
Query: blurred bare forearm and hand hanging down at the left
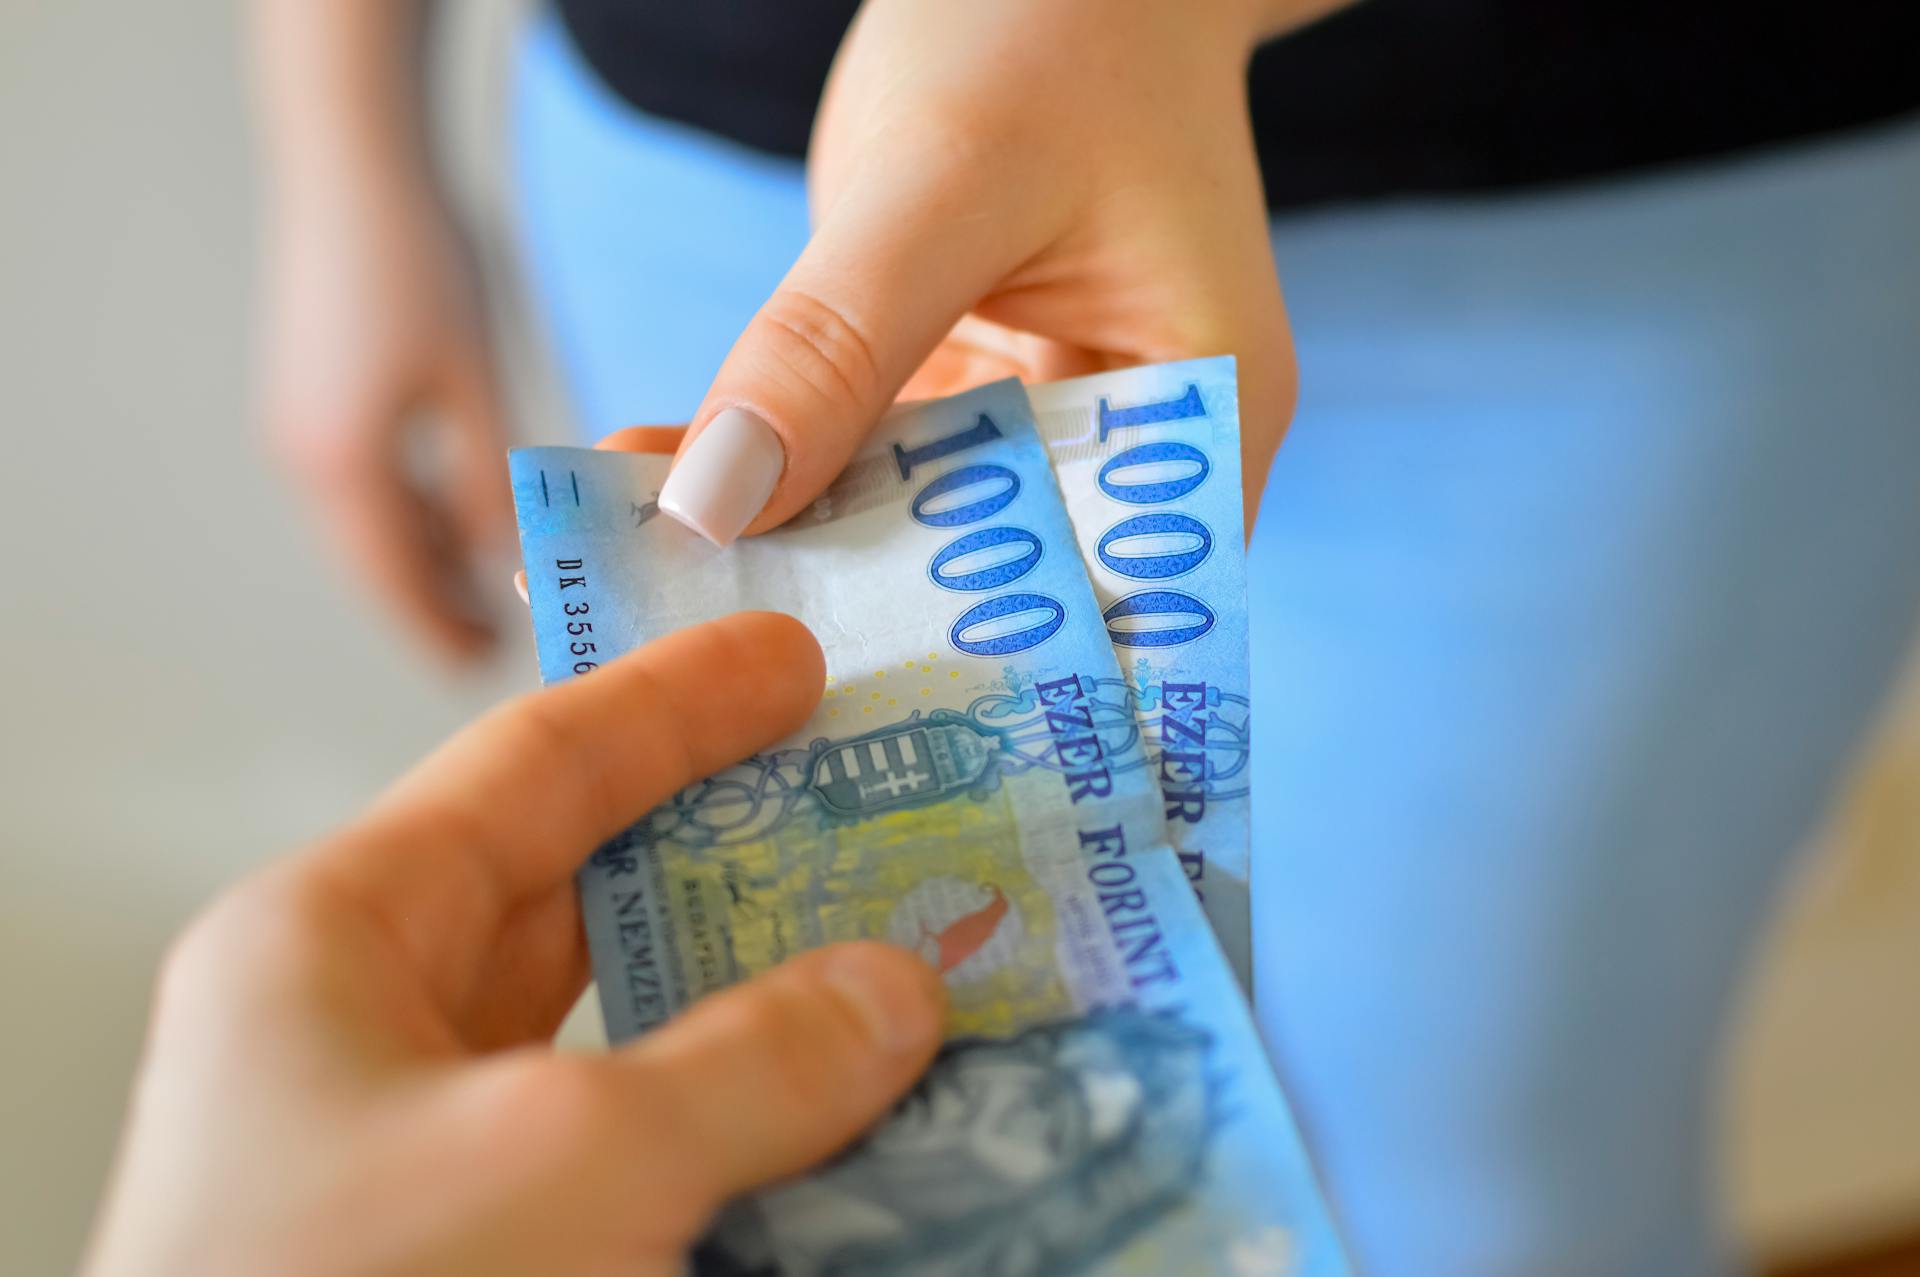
381 391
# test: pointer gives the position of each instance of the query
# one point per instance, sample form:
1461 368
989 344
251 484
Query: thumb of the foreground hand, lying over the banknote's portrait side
769 1078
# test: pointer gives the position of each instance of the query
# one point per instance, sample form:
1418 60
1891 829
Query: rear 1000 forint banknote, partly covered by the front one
1149 464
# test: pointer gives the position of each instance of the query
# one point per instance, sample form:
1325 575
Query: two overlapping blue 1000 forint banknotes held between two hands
1032 767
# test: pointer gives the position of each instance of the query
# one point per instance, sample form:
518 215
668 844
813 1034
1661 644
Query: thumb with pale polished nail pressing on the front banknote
884 279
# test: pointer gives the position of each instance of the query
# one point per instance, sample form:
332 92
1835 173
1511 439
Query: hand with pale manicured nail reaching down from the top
1076 180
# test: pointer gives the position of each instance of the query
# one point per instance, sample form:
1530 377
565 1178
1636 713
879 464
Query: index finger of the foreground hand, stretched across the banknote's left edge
514 806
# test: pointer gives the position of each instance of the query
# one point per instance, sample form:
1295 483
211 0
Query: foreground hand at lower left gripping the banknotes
348 1067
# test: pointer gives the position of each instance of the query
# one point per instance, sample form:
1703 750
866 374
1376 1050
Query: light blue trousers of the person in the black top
1591 556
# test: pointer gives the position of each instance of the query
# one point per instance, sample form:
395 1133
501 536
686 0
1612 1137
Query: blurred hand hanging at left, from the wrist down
377 354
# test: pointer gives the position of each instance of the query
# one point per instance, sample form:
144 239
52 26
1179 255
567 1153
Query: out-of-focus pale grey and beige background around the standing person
199 687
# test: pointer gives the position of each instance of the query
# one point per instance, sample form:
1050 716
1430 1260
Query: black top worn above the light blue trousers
1389 97
